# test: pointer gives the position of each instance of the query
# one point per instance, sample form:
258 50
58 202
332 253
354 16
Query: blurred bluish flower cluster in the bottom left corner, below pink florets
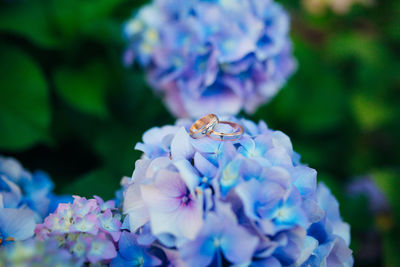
35 253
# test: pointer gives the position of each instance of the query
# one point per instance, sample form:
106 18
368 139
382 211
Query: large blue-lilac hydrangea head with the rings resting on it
248 202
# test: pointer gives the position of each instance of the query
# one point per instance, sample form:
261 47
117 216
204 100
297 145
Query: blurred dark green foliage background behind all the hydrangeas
68 106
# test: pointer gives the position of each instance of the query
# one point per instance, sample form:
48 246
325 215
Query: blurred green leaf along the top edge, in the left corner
56 23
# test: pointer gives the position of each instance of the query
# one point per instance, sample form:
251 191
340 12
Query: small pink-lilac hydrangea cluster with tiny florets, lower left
88 228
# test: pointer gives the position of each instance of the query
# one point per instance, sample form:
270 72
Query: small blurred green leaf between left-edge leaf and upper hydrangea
85 89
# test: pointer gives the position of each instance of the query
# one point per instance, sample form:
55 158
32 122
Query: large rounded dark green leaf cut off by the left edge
24 103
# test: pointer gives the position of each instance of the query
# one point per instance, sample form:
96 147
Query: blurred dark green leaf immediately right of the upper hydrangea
313 99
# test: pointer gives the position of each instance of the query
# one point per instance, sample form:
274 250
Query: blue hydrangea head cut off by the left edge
25 199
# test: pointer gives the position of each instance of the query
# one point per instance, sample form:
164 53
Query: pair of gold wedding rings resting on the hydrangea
206 125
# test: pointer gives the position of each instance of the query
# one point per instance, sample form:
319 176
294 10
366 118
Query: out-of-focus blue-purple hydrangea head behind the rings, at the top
220 55
